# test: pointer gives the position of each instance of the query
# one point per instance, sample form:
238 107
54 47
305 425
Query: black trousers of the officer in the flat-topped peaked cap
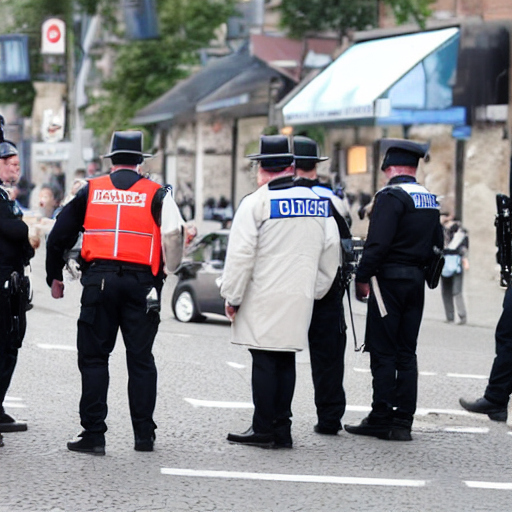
391 341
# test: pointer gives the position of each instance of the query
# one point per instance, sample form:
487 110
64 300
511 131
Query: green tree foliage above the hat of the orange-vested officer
144 70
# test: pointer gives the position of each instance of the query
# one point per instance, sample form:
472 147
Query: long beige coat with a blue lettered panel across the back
274 270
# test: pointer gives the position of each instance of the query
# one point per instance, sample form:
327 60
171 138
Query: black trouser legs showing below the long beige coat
273 384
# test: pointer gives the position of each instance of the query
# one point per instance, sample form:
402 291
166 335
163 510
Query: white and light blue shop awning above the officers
378 81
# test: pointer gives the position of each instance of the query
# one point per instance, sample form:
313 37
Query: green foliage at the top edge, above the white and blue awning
303 17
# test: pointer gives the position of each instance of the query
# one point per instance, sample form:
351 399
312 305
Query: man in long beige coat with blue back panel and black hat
283 253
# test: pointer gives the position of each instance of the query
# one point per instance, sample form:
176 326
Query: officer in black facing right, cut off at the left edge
15 254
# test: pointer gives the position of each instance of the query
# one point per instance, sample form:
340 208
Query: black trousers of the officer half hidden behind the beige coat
327 342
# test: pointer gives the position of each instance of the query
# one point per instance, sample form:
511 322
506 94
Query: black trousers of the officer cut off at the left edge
9 342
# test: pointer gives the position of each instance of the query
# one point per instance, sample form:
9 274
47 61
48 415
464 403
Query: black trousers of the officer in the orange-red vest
113 298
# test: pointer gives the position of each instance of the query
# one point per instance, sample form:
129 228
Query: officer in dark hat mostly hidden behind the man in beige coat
327 331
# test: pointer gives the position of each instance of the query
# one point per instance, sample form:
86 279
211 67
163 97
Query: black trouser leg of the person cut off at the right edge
499 387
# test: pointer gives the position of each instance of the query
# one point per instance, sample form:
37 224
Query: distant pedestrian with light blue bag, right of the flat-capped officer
456 244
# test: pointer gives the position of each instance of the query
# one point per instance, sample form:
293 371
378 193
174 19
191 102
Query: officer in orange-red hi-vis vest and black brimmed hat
132 236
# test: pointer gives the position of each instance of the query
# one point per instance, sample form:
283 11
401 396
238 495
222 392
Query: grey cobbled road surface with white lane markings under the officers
204 393
